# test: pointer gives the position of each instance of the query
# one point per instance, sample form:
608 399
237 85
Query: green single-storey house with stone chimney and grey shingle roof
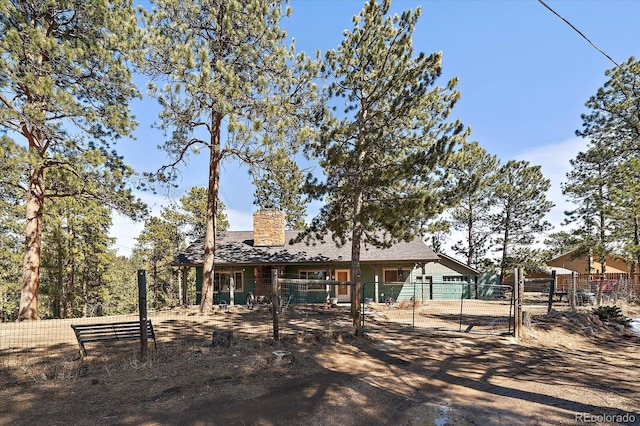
244 261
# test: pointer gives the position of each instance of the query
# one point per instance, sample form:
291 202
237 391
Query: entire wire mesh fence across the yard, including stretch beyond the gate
313 306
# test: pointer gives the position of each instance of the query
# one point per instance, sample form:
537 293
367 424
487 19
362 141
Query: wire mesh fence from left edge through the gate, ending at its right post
305 306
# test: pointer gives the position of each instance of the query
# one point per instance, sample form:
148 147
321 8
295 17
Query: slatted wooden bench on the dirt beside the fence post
109 332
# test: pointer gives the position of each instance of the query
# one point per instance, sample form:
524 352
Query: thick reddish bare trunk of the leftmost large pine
33 243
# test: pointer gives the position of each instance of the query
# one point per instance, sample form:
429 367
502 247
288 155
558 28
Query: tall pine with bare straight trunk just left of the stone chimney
225 59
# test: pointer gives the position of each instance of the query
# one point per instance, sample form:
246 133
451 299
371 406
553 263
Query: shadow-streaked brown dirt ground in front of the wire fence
567 369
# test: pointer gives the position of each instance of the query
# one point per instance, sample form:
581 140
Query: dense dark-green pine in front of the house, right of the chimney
379 158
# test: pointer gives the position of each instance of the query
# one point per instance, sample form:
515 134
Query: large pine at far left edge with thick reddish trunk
64 88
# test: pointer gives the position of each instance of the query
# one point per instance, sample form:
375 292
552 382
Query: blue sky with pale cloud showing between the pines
523 73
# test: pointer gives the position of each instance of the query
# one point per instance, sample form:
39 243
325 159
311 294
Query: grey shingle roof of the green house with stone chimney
236 247
